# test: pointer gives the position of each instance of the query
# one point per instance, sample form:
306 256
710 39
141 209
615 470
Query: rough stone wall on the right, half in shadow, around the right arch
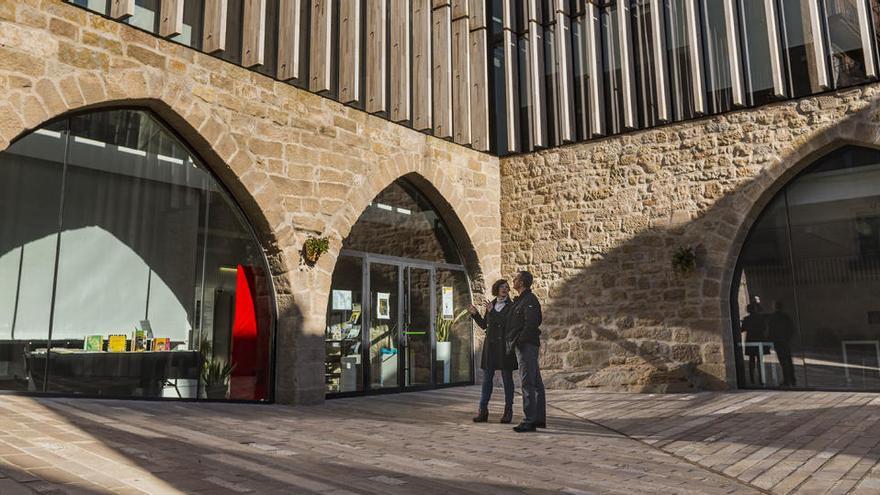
598 224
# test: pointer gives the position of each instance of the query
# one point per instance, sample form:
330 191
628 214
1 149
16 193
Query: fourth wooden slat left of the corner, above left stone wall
421 73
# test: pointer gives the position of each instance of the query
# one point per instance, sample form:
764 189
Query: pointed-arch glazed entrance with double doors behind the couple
396 314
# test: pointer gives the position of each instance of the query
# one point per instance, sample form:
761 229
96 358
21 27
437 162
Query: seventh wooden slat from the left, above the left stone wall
349 51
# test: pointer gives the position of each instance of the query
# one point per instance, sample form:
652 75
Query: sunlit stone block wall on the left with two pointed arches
297 163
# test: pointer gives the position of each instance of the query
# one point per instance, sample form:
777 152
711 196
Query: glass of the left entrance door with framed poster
384 298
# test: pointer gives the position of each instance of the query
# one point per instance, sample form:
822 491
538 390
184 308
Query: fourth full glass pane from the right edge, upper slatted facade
719 88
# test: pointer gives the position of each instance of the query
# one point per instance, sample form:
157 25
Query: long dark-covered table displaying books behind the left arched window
143 373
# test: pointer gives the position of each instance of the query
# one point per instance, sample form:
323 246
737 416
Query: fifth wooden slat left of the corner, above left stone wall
400 61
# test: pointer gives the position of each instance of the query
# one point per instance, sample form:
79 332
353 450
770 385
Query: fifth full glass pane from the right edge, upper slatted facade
679 55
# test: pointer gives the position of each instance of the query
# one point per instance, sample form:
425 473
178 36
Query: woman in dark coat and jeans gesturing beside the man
495 355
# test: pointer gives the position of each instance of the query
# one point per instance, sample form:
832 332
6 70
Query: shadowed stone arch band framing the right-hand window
861 129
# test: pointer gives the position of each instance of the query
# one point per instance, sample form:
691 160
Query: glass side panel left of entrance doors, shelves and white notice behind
343 337
